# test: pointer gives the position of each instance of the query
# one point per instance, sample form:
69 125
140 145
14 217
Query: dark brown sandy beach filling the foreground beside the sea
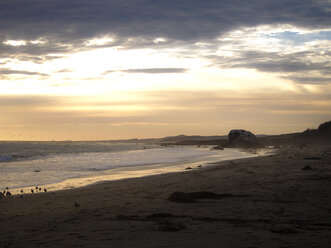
275 204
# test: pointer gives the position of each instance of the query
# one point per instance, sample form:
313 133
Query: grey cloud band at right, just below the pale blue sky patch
293 64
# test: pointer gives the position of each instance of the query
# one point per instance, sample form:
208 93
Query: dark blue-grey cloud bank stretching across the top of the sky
65 25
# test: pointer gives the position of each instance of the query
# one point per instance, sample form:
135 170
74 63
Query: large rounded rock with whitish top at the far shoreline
241 138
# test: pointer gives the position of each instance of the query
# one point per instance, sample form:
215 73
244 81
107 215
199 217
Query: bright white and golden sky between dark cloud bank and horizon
196 86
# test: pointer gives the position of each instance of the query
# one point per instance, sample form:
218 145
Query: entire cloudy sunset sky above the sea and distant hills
120 69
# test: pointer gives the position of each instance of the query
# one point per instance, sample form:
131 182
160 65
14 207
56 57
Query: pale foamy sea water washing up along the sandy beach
61 165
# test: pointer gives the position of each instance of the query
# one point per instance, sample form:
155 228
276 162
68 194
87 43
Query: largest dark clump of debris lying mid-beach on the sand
193 196
